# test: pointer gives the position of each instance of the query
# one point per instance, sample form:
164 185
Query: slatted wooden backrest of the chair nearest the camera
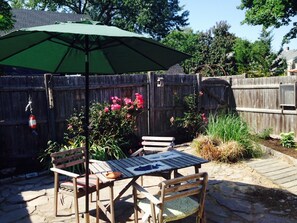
177 188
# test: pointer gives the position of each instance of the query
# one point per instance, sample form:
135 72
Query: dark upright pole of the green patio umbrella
87 214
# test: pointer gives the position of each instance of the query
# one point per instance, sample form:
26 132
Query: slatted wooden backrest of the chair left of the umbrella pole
69 158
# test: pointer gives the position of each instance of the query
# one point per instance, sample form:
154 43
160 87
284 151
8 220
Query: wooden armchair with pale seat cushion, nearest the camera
176 199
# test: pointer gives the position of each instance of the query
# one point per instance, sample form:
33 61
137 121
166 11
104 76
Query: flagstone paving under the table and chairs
243 192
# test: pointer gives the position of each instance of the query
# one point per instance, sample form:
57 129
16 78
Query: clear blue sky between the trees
205 13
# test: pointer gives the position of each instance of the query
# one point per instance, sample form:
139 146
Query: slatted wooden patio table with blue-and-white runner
134 167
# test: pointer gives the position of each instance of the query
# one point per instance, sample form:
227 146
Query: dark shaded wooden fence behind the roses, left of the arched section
54 99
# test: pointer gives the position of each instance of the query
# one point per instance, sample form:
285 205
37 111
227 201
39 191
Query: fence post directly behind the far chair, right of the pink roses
151 102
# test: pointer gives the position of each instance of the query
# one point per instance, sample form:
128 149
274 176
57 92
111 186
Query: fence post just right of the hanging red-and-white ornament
48 83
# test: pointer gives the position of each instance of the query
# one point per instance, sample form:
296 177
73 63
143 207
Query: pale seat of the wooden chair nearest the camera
173 210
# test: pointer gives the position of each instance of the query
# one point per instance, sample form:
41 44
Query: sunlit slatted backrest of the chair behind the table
157 143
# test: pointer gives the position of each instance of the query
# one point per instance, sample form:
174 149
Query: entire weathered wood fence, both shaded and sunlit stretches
54 99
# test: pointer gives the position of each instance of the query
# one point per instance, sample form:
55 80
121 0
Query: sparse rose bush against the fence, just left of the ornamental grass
192 121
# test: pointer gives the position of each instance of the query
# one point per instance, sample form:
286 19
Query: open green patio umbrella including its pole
86 48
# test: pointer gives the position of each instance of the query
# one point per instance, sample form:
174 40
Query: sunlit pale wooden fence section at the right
267 103
